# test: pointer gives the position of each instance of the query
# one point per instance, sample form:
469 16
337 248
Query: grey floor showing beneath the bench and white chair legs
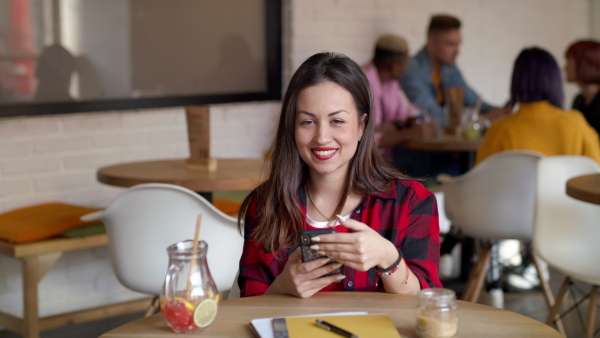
531 304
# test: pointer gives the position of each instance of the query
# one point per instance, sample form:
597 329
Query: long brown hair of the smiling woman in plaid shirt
279 215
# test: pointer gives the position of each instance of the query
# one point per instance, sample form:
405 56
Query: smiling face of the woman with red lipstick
327 128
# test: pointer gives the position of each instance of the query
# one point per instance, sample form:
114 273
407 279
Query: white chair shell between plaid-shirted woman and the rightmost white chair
495 199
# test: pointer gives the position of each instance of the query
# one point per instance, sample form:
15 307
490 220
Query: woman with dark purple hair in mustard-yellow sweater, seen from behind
540 124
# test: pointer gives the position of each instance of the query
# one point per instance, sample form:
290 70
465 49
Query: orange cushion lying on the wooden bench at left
41 221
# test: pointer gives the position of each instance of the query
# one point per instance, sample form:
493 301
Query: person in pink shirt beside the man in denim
391 108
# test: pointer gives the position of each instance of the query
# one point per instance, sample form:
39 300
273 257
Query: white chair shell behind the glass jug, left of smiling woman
144 220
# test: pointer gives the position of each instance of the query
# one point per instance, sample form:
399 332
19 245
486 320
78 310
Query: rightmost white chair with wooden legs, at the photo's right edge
566 230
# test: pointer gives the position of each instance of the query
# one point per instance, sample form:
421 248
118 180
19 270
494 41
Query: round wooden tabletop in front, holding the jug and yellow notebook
234 316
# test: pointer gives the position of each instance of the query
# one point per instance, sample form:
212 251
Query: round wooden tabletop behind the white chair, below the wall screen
231 175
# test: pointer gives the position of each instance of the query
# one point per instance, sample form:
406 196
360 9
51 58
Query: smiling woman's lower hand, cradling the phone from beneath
304 279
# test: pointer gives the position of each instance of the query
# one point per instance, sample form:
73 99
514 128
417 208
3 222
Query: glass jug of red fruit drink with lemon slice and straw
189 297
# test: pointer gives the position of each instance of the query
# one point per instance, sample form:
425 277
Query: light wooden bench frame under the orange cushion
39 257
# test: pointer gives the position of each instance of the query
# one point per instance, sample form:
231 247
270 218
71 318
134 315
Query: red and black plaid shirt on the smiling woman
406 215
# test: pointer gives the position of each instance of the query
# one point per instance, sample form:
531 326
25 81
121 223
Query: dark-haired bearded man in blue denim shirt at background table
434 69
